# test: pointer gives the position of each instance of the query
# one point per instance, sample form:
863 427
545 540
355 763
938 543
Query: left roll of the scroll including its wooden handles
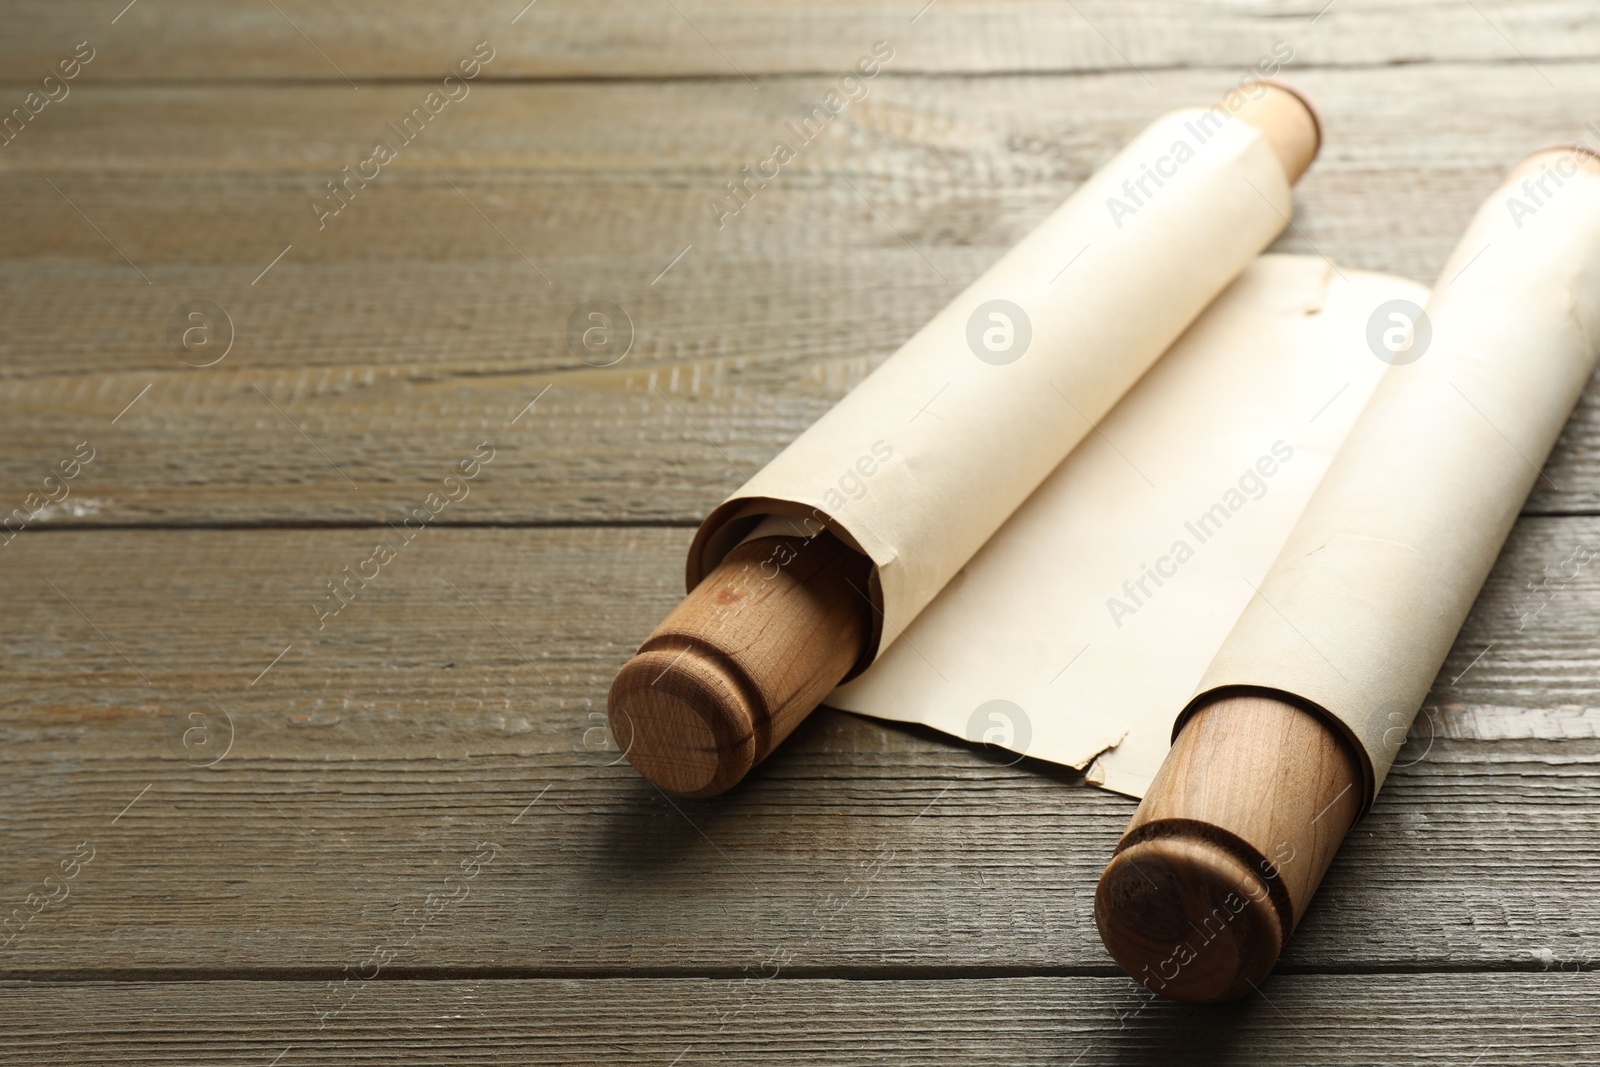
897 489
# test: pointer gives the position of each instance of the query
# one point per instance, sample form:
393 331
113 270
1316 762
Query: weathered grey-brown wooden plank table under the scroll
244 829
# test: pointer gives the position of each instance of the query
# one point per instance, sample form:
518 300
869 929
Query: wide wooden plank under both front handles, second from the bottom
460 700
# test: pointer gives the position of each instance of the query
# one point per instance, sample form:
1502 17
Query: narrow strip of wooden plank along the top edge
364 42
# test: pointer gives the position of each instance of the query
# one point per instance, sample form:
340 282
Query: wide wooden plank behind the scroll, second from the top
410 330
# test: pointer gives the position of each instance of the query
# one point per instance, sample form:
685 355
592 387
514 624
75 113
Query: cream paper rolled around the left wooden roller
929 457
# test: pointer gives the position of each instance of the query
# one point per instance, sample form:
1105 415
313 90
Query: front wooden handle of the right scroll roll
1228 847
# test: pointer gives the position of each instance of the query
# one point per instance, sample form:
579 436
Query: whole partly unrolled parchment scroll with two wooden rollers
1148 503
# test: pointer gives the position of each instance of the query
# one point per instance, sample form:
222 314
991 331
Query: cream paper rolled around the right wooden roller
1366 601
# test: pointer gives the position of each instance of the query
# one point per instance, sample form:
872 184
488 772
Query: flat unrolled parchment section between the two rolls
1023 647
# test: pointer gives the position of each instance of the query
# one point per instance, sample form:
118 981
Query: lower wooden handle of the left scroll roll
742 661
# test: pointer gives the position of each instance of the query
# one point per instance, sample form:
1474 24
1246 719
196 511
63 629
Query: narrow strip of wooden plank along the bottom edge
1481 1020
